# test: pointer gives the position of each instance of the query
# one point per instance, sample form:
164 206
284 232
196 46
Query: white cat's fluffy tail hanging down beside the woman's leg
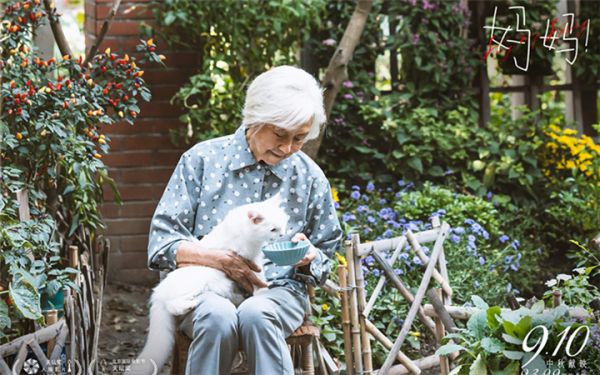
161 336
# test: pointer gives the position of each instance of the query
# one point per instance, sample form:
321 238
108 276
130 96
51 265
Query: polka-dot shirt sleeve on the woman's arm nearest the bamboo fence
323 230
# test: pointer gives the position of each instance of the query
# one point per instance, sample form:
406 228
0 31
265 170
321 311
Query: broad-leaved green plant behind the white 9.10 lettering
504 341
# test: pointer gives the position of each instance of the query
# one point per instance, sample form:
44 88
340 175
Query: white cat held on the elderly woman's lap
245 230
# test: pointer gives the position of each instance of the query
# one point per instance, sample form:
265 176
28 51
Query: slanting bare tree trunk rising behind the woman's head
336 71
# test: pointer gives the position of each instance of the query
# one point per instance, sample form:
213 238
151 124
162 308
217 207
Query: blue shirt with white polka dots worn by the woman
219 174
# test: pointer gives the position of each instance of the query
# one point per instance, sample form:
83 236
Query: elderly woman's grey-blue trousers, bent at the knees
258 326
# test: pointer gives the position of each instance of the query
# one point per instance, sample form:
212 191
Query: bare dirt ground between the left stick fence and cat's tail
124 327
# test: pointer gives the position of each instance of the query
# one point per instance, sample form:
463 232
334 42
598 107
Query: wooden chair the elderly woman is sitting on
301 343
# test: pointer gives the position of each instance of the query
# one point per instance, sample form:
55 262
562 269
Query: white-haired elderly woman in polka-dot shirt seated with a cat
283 109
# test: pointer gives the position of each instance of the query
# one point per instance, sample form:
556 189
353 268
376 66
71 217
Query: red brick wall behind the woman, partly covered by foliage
142 157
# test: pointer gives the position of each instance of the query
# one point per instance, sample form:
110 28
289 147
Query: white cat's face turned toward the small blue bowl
268 219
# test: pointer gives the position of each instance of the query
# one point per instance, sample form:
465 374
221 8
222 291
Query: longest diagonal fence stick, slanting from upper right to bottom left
412 313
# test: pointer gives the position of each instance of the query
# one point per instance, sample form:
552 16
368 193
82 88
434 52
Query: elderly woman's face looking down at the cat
272 144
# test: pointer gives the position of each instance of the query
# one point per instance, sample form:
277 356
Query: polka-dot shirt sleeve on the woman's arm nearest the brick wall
173 220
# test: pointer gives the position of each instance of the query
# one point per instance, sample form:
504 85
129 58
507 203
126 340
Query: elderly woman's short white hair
287 97
